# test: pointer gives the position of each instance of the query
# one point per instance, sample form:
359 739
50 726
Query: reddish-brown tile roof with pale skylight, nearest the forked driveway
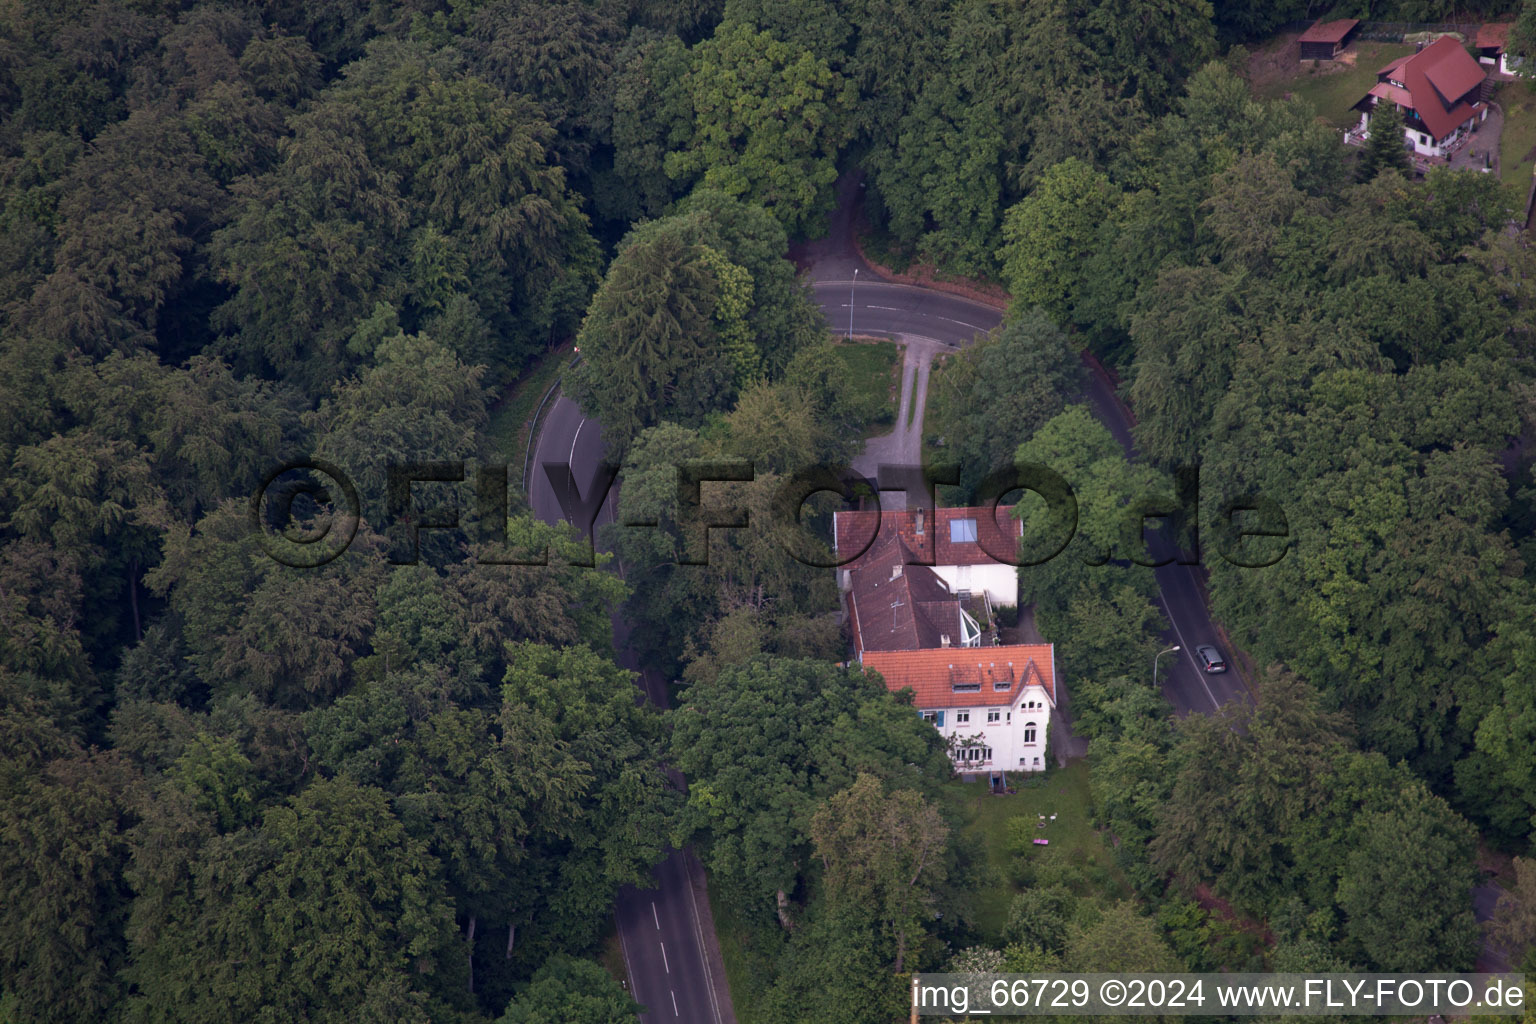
996 537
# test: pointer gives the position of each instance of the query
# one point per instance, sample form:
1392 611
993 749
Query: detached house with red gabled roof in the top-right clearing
1440 90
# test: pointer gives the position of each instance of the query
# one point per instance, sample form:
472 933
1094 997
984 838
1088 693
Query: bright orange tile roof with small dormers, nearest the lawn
988 676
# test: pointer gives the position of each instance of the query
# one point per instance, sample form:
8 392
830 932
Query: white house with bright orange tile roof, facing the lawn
993 705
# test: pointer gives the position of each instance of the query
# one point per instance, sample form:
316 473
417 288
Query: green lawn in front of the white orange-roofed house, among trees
988 830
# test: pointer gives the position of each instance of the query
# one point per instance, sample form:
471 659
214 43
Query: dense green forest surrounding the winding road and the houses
242 233
